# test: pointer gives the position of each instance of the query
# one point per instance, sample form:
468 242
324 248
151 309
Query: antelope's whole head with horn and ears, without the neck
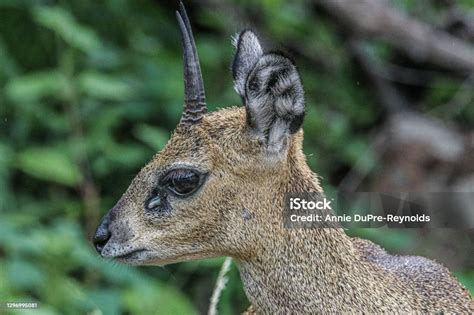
217 180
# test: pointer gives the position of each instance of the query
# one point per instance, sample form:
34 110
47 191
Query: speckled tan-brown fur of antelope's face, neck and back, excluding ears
283 270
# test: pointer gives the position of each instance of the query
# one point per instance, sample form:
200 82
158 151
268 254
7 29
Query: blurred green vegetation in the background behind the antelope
90 90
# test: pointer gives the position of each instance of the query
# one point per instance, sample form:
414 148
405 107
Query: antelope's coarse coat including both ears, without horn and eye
252 156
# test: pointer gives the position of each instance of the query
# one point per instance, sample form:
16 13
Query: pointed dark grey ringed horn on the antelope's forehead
194 96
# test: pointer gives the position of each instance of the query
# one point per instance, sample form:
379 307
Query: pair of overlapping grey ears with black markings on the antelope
270 87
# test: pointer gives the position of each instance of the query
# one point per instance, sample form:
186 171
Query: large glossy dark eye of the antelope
183 182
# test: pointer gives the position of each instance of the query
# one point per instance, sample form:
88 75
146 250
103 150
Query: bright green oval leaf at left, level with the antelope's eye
49 164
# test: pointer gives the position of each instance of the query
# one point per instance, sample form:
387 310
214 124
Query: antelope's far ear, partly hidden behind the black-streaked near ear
248 52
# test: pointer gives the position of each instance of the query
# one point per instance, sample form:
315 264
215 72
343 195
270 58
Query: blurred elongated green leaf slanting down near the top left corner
63 23
